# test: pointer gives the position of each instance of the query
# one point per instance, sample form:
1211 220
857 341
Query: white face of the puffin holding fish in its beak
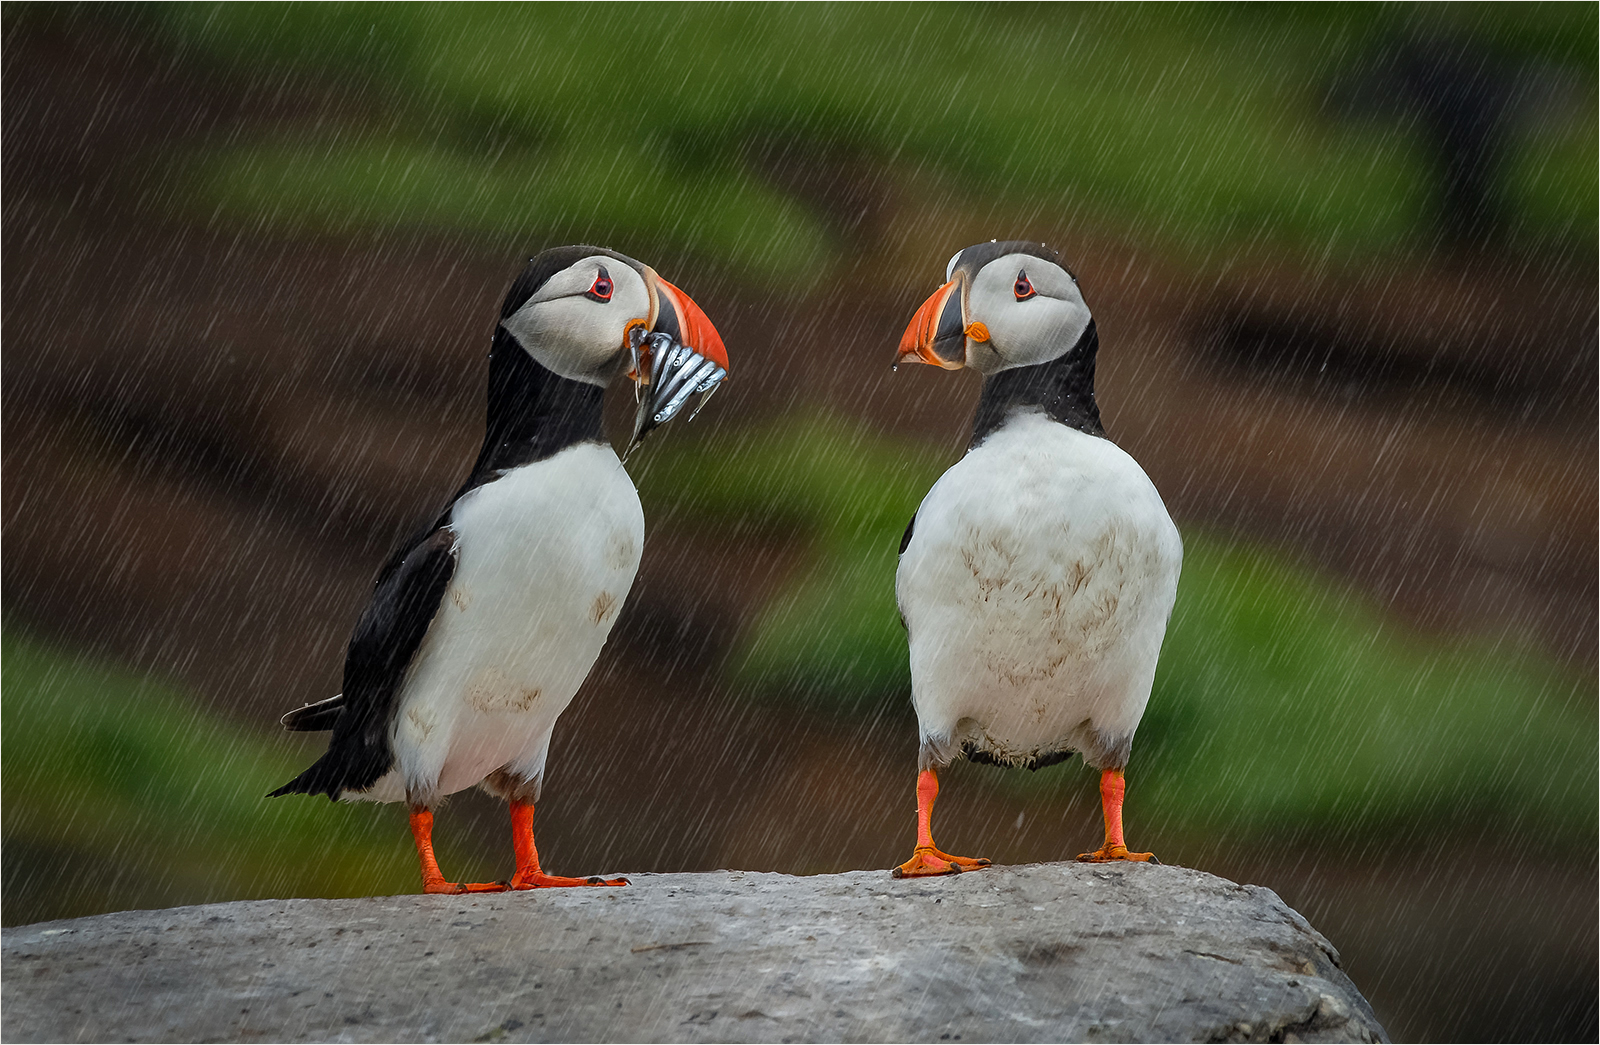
577 324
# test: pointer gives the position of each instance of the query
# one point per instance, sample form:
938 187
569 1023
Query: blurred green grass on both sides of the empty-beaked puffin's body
1286 703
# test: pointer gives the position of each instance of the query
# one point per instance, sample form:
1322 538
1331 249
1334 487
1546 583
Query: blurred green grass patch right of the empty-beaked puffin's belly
1286 703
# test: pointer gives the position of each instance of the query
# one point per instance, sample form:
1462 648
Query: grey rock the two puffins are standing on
1041 953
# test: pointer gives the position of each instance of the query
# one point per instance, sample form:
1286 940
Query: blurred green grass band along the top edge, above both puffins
1196 127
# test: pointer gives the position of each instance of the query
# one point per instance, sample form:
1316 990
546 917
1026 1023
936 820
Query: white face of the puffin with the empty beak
1033 310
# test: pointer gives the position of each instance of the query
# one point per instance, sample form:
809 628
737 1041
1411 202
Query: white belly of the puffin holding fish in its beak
548 555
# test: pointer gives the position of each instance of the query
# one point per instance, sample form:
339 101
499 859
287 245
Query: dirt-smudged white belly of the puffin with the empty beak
1036 593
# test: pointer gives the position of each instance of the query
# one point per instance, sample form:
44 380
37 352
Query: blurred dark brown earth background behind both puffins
215 434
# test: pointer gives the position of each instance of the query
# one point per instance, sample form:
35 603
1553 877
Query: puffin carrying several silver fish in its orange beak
484 625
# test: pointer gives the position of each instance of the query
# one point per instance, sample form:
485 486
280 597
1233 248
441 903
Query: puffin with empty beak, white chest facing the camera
1038 577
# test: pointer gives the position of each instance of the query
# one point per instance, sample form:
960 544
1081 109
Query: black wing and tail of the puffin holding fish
386 638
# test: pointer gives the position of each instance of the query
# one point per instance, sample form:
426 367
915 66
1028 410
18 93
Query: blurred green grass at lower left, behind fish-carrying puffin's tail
121 793
